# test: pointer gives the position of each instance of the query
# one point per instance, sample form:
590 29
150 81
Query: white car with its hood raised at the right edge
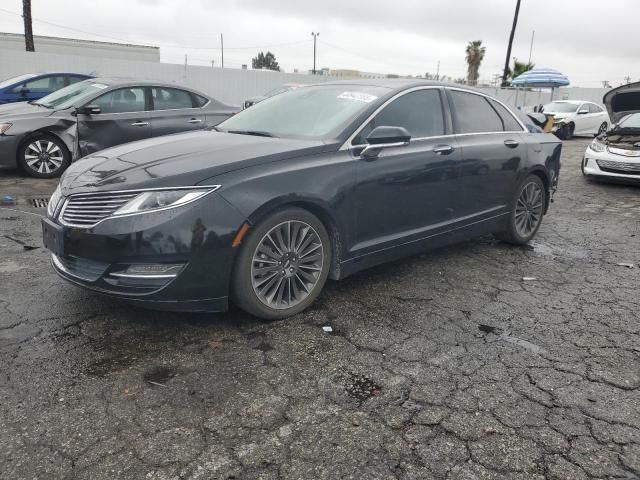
615 154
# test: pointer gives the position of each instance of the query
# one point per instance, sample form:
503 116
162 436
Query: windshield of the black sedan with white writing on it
318 112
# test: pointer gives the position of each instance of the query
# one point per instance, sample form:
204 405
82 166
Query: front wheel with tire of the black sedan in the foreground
283 265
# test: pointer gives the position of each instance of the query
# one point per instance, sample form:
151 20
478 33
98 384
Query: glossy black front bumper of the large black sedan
197 236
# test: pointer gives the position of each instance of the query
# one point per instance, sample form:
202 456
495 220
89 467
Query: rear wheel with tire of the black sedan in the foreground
527 210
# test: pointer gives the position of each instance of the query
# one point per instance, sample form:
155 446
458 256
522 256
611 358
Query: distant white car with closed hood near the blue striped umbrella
576 117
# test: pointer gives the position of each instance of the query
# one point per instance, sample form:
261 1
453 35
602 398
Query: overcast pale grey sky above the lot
589 40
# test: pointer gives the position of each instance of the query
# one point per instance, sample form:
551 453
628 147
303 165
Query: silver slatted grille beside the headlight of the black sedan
87 209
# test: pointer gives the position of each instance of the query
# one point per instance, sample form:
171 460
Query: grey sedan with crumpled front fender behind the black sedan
43 137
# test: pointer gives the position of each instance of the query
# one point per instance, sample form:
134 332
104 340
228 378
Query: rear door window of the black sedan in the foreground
474 114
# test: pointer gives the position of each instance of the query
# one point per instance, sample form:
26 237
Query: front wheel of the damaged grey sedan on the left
43 156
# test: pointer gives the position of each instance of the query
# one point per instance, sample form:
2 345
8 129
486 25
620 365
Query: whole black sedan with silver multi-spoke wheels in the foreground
319 182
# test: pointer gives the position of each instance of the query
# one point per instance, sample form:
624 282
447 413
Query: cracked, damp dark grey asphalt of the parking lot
446 365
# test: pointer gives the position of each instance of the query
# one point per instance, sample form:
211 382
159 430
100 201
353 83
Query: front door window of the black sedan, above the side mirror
420 112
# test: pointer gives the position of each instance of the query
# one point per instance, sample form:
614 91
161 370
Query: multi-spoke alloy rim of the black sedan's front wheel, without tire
287 264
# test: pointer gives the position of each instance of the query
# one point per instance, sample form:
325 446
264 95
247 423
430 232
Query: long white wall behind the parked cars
230 85
